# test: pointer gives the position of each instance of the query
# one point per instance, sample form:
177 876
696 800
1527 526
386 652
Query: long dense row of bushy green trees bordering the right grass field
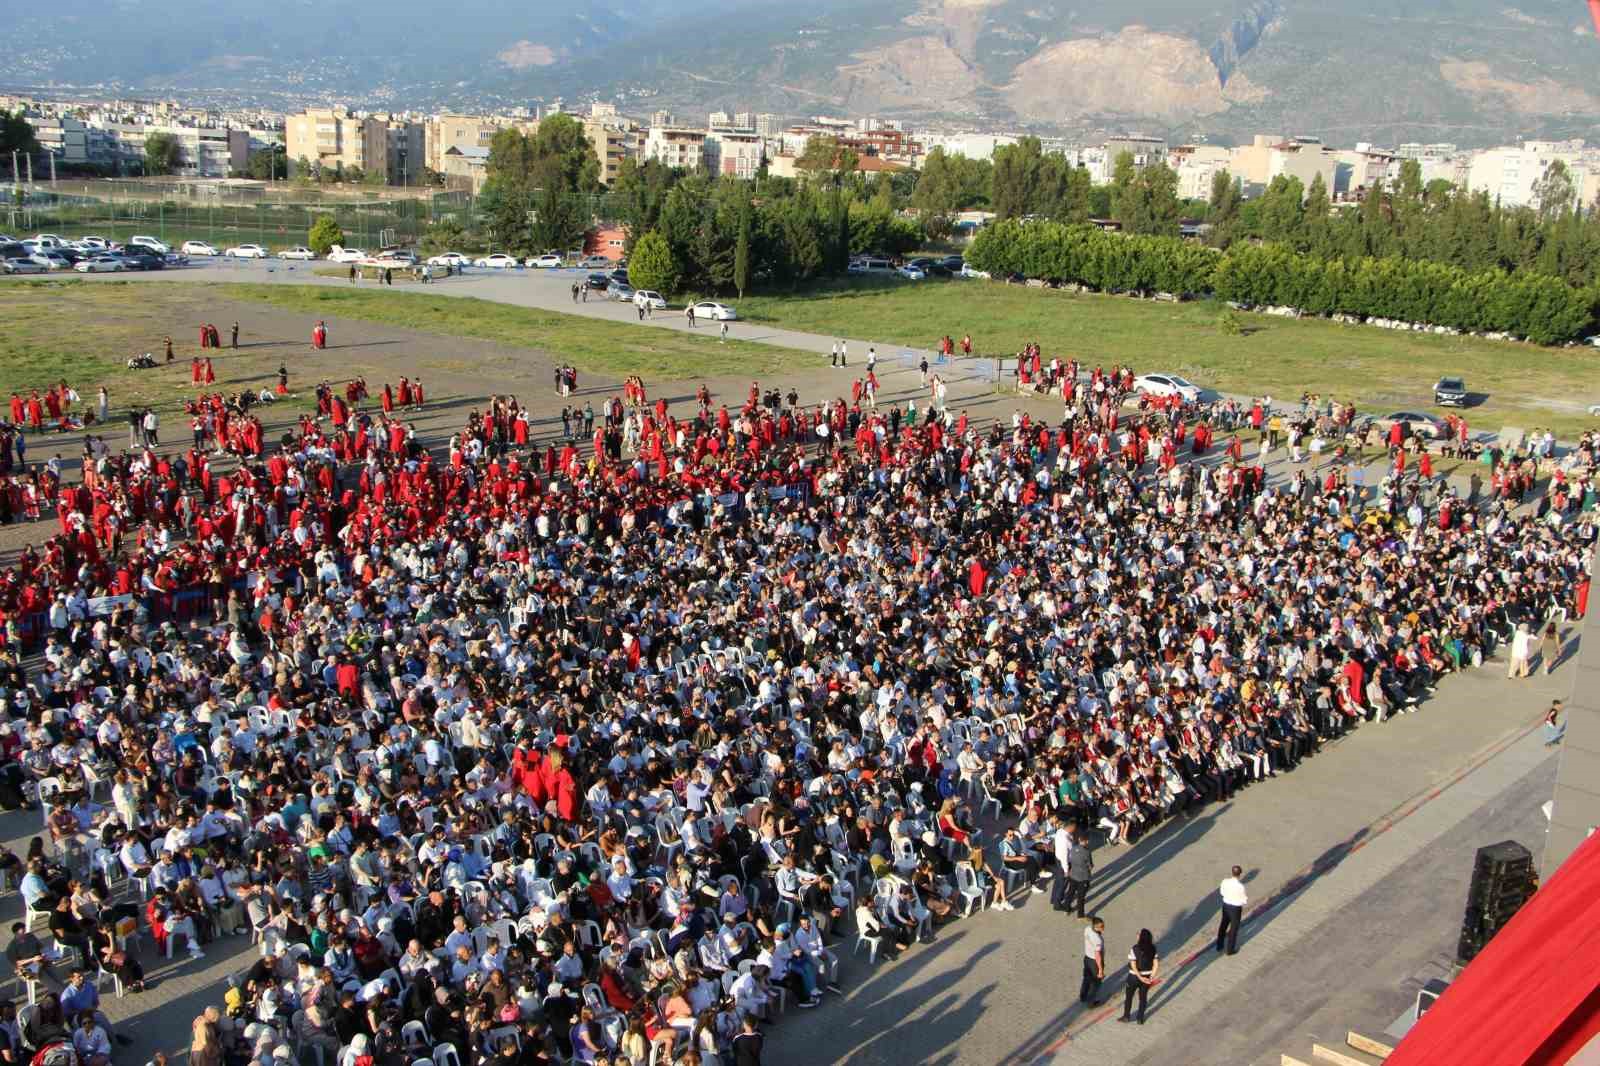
1537 307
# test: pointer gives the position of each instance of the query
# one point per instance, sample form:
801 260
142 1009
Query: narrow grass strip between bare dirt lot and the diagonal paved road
610 348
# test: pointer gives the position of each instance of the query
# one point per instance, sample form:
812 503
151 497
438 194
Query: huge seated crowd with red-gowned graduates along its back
606 750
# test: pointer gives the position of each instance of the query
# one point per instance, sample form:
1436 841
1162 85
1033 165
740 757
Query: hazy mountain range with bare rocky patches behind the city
1385 71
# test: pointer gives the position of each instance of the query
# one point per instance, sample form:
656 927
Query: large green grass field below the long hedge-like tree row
1518 385
